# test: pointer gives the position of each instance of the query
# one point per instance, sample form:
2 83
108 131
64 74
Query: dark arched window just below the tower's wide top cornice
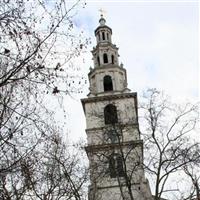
110 114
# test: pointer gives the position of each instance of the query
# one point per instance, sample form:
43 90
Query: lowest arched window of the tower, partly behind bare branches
116 165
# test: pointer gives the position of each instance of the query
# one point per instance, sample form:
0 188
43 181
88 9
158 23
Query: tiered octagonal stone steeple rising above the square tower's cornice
107 76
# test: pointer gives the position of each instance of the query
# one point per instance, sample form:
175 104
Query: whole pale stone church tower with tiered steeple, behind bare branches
114 148
